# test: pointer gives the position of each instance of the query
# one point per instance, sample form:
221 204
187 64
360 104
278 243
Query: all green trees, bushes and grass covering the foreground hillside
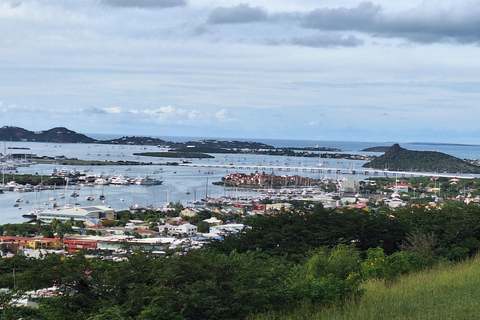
306 260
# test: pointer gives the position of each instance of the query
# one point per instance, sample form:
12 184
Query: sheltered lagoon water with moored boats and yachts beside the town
186 183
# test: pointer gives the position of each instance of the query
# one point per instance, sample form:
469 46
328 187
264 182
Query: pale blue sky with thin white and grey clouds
304 70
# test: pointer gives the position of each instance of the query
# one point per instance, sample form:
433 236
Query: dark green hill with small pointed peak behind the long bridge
398 158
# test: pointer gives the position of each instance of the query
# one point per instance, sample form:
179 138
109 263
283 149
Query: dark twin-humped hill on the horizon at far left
57 135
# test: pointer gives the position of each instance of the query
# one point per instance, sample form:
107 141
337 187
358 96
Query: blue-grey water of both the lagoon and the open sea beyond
181 184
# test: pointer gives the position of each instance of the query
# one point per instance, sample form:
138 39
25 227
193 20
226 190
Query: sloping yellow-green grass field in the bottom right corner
448 291
